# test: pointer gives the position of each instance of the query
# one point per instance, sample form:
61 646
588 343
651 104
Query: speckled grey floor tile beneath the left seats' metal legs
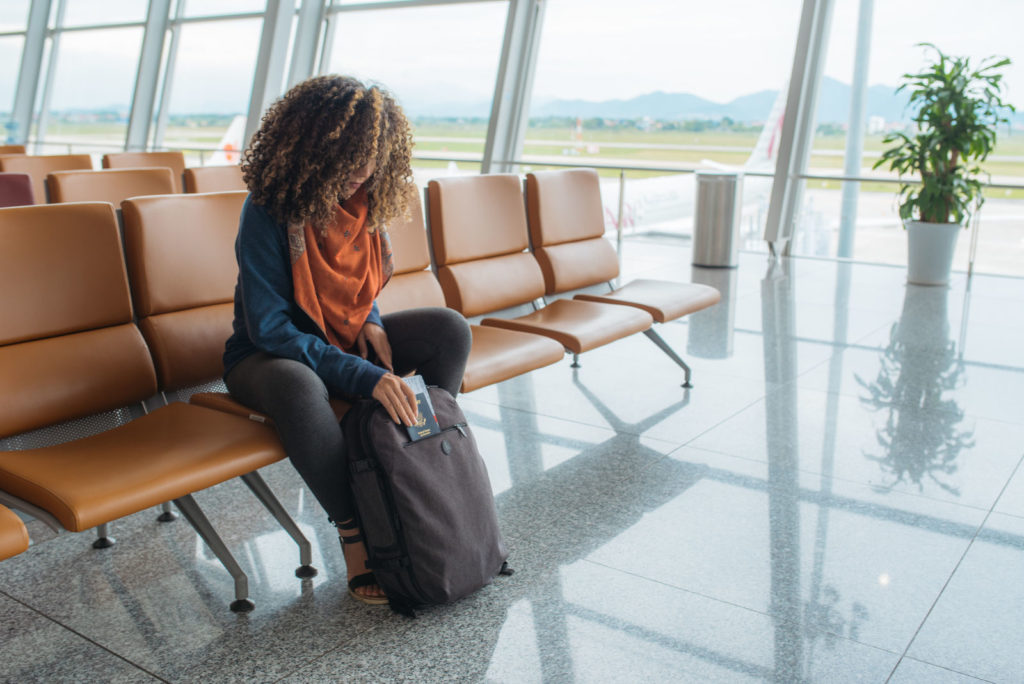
160 600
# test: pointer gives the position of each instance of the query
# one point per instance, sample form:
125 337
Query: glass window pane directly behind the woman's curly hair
440 62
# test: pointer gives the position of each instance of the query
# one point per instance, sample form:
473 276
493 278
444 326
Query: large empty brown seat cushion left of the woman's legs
173 452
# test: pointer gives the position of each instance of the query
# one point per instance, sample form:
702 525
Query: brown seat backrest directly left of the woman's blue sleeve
181 253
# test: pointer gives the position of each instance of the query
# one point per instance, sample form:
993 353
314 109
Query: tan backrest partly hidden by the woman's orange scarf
413 285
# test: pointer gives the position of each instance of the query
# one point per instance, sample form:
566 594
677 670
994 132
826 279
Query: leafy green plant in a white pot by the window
958 109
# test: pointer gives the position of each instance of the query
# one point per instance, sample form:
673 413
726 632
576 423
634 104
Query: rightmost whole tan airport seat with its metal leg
567 229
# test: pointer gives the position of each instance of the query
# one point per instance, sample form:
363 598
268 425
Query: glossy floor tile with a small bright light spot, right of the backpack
836 564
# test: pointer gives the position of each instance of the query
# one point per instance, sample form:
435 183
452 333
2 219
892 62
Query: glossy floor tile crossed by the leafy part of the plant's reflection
961 459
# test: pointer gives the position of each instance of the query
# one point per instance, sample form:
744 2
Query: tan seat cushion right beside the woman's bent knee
498 355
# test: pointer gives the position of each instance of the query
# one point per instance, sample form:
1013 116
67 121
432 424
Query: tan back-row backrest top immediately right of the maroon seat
114 186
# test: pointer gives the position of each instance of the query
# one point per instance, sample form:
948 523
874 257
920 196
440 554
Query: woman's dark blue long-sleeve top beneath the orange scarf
267 318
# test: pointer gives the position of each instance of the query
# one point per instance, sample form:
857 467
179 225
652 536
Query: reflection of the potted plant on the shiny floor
922 438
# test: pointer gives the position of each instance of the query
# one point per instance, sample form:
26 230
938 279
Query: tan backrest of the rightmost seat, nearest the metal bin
567 229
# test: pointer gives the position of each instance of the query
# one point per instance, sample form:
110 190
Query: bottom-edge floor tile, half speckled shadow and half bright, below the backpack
557 622
